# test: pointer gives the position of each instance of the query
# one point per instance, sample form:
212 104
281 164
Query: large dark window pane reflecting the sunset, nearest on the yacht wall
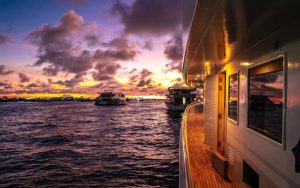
265 109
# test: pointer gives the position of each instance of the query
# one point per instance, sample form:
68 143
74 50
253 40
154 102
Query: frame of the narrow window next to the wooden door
238 98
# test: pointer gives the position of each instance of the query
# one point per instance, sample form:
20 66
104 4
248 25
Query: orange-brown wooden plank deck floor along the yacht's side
202 171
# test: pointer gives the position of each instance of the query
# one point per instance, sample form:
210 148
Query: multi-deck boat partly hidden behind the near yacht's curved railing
179 97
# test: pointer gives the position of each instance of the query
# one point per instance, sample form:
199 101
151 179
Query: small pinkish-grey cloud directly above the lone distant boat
105 71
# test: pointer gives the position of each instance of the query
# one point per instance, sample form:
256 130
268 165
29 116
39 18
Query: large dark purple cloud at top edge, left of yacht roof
149 16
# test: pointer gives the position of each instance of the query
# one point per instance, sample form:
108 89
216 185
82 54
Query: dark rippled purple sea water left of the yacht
73 144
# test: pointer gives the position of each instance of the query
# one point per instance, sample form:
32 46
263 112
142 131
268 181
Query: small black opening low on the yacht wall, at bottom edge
250 177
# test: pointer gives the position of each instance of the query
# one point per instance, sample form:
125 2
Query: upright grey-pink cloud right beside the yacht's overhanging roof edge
174 52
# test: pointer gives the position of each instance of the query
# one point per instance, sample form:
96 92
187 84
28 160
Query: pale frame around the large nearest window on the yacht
284 99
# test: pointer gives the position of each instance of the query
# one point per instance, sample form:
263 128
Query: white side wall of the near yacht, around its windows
273 162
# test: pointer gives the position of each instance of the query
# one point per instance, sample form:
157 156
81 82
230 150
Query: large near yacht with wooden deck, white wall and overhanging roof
247 56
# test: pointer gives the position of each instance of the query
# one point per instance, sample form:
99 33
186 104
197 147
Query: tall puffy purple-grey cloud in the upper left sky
55 46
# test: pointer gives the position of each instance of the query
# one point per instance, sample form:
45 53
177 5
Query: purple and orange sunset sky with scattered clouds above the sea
82 47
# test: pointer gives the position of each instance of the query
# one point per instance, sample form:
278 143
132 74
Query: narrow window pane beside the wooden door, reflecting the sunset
233 97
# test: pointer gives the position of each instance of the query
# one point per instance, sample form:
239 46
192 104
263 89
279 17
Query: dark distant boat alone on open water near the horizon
110 98
